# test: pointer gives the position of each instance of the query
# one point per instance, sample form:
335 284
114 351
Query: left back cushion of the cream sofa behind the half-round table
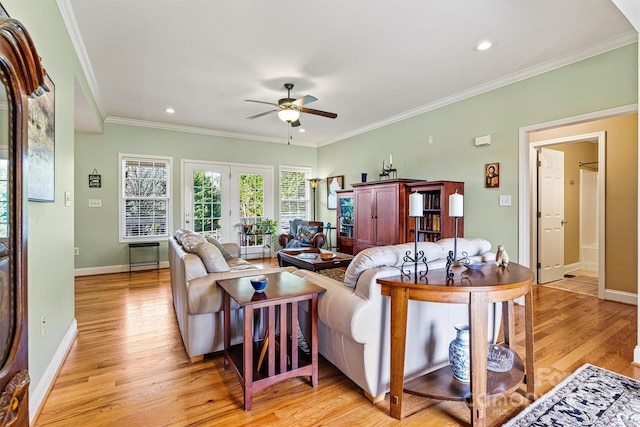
391 256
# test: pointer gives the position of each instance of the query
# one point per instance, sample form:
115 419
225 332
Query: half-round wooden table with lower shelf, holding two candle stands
477 288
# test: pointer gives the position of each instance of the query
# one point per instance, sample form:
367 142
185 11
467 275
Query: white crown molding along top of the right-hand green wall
577 56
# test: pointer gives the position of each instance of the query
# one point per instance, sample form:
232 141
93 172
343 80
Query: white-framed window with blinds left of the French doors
145 197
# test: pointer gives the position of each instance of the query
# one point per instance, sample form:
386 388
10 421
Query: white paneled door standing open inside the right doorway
551 215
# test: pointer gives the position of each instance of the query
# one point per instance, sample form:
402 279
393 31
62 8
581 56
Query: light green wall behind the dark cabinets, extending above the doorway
605 81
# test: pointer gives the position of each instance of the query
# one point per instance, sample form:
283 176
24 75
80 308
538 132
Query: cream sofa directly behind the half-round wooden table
353 328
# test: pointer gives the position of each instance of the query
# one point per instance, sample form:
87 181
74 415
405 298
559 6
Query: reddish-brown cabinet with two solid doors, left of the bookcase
380 213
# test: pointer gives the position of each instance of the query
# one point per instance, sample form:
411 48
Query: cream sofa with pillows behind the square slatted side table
196 264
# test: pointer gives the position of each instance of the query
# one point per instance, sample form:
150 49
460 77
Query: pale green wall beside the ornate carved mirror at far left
50 225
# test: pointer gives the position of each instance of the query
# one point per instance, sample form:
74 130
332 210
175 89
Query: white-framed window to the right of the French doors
294 195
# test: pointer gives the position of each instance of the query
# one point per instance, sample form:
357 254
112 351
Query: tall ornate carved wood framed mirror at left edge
22 76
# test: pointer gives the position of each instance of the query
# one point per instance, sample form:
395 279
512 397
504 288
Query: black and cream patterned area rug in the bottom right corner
591 396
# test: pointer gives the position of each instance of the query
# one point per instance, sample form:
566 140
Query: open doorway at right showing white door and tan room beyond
571 211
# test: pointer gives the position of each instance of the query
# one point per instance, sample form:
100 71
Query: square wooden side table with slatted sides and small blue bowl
284 358
